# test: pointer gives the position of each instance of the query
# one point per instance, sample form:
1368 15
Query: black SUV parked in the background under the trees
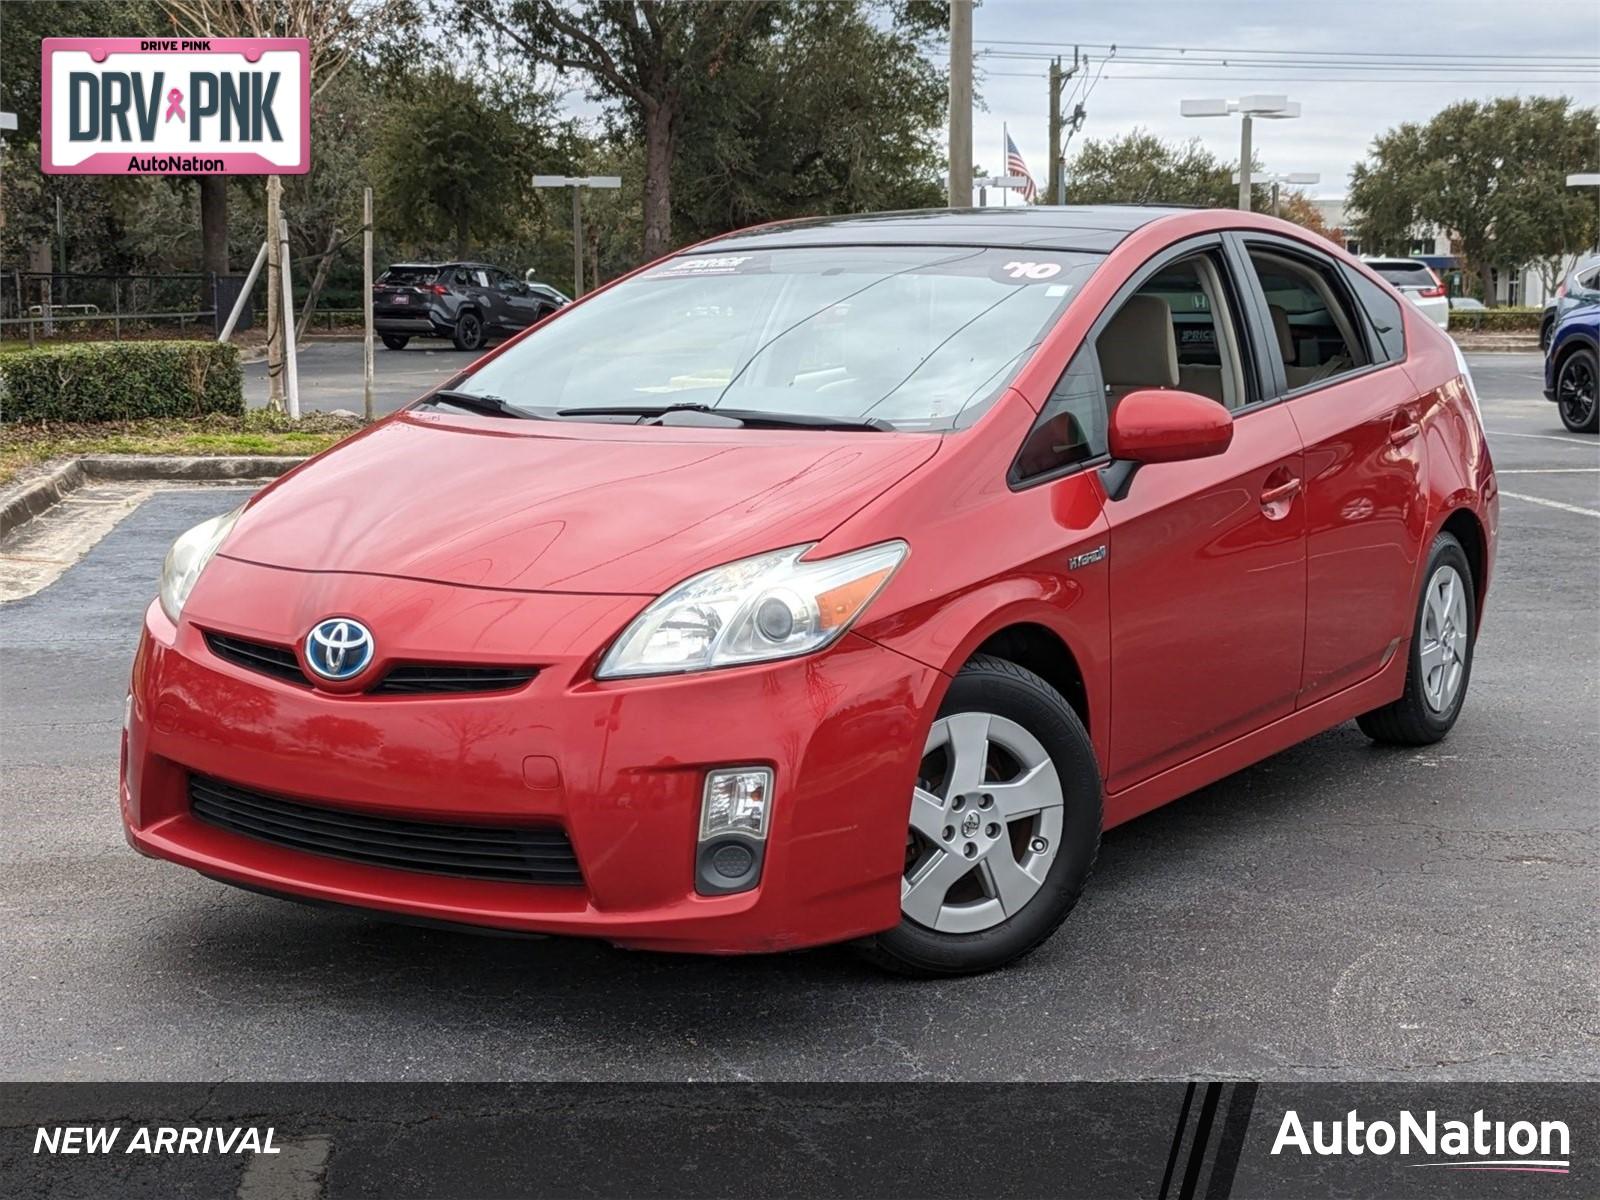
463 302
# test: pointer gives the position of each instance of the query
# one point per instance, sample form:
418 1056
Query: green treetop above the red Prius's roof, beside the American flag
1146 170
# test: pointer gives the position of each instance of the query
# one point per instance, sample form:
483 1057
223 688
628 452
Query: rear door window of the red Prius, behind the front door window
1314 327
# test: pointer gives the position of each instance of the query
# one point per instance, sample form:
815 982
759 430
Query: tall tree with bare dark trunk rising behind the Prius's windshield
644 57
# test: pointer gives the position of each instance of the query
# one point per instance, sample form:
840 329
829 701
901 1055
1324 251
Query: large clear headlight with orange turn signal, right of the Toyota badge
753 610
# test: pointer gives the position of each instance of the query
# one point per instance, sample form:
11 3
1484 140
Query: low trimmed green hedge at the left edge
121 382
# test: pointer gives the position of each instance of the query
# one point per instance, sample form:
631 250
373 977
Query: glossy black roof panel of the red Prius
1094 228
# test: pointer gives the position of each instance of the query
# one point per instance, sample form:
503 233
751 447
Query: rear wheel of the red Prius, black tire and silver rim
1420 718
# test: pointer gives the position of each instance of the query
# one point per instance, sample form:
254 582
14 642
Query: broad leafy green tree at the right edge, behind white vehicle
1489 174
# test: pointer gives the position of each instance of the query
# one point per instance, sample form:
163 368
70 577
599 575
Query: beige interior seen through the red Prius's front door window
1140 346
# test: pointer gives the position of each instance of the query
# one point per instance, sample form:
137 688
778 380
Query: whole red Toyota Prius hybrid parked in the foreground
836 580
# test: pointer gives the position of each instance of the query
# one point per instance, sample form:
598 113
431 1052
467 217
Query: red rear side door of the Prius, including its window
1361 420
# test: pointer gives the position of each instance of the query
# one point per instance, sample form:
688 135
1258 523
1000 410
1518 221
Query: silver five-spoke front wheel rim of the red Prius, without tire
986 822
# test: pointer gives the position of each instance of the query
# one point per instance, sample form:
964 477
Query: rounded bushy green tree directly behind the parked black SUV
452 159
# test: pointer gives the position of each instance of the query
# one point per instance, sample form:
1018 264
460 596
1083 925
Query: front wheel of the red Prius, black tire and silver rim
1028 716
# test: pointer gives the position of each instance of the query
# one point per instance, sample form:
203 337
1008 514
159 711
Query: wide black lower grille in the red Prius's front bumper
510 854
